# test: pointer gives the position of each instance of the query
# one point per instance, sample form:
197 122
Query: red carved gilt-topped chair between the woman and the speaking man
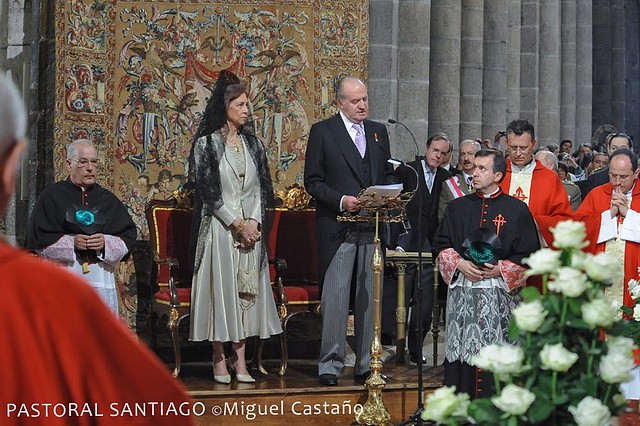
292 243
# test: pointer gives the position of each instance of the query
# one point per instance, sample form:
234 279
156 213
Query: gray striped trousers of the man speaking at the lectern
355 252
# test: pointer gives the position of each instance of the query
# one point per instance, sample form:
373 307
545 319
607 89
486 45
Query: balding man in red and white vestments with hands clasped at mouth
611 215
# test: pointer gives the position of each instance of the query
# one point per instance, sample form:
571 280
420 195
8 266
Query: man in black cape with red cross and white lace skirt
482 282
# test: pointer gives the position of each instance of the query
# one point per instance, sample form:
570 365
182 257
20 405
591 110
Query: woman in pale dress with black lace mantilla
231 297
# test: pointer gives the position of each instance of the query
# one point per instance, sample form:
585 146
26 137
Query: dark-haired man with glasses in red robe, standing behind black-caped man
532 183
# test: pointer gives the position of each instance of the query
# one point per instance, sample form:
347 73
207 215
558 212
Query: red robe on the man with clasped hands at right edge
589 212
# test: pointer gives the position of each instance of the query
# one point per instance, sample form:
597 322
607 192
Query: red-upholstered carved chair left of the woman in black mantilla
169 231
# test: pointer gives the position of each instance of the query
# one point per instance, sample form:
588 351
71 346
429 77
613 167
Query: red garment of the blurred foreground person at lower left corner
61 345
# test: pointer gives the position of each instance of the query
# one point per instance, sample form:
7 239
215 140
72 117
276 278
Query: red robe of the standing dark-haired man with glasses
548 201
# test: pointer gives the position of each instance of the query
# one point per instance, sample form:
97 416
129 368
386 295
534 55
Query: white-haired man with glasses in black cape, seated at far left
81 225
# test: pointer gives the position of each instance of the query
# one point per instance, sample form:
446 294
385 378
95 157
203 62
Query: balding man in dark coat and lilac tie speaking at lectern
345 154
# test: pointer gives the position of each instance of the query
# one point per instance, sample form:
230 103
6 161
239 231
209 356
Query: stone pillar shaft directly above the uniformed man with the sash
471 50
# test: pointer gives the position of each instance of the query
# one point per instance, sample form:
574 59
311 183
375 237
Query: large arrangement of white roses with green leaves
571 353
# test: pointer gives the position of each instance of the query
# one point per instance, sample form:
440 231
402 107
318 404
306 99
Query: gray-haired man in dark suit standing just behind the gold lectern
422 212
